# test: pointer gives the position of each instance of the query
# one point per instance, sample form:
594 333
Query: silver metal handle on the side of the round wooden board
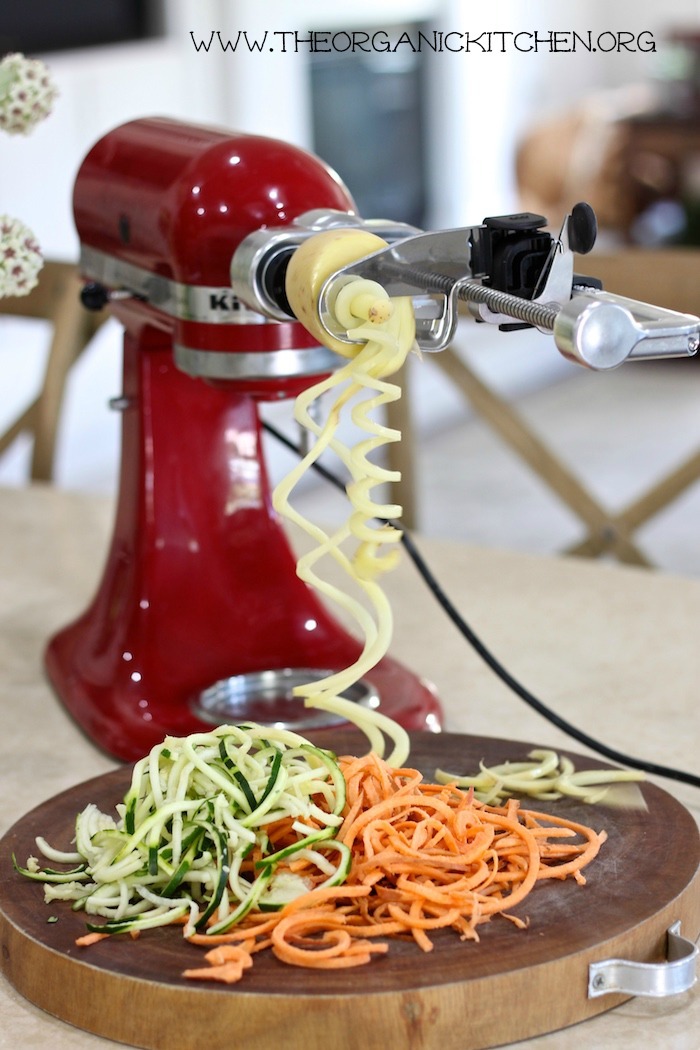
671 978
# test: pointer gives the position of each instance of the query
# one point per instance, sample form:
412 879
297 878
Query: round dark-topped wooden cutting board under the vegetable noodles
513 985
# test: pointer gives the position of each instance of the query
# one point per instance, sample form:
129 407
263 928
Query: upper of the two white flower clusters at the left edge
27 94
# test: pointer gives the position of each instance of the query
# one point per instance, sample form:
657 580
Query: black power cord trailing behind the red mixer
489 658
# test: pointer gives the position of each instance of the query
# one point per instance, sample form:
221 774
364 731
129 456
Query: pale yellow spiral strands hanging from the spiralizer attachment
362 388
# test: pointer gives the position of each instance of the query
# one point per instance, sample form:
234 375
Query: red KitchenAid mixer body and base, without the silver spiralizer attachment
200 618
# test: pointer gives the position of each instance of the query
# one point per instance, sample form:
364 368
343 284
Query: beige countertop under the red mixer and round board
613 650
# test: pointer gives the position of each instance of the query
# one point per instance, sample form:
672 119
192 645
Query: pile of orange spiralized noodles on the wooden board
425 857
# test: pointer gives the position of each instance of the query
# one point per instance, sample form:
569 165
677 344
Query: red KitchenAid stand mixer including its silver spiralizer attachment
187 233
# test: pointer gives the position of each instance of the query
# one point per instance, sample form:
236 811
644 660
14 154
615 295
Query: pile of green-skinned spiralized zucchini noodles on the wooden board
213 827
